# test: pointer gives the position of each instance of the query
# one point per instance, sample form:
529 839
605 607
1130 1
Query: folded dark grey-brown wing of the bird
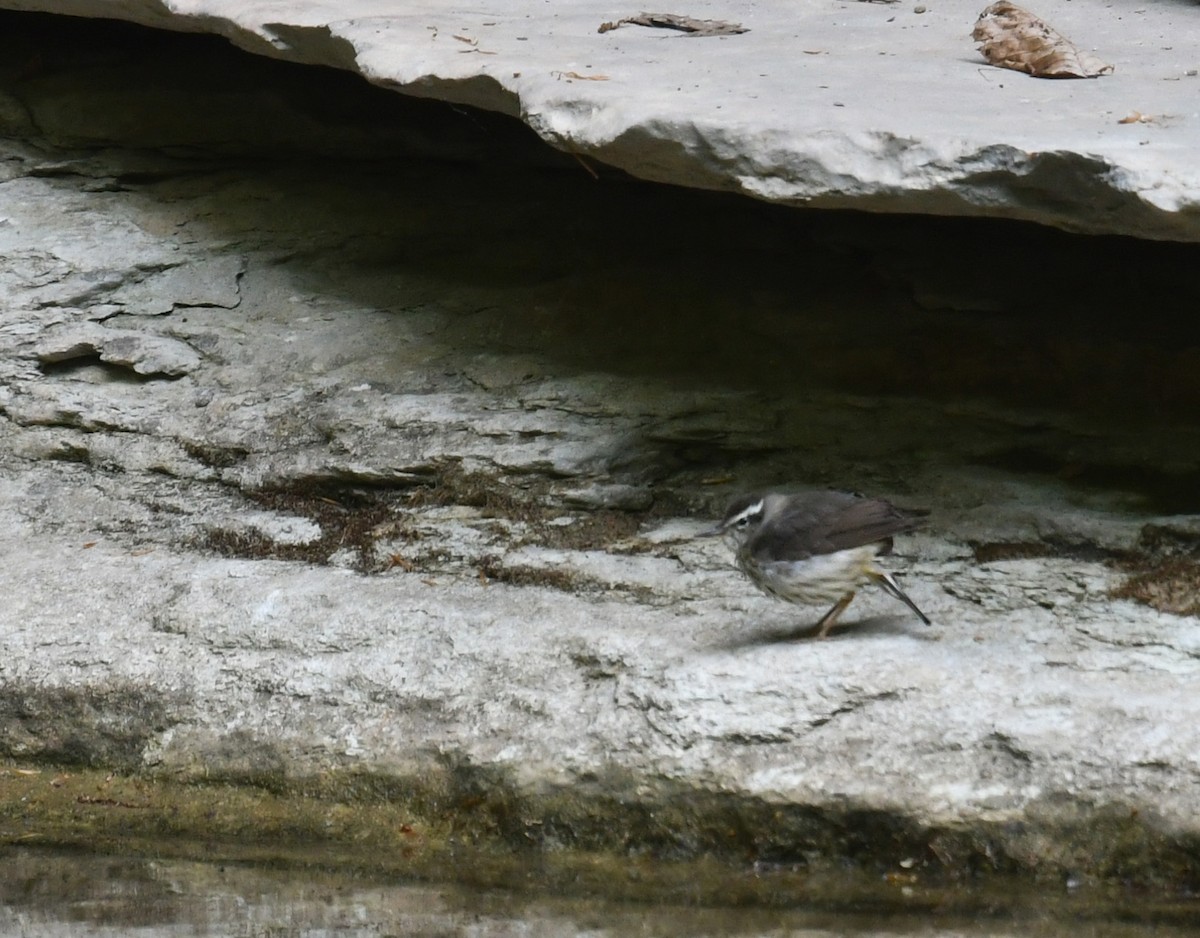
827 522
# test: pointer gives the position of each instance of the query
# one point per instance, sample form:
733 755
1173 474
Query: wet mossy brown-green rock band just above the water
470 825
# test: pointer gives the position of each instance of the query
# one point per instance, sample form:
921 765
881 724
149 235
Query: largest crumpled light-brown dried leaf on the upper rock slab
1012 38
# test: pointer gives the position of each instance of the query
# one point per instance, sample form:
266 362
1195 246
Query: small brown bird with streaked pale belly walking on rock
817 548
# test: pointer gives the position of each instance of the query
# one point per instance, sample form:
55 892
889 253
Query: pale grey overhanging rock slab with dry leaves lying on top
831 104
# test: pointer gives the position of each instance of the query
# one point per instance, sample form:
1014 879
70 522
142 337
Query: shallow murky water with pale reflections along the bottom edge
46 893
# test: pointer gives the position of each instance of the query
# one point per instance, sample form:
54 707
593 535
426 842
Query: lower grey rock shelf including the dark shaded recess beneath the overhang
377 465
